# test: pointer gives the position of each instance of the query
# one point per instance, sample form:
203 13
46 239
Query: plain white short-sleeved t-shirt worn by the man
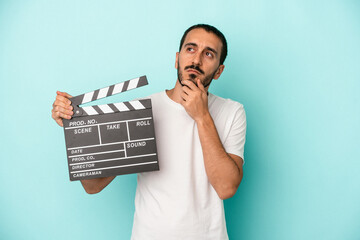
178 202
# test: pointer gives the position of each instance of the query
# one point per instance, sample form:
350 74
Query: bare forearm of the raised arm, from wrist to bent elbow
223 172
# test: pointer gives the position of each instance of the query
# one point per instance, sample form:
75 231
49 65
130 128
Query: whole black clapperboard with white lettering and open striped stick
110 139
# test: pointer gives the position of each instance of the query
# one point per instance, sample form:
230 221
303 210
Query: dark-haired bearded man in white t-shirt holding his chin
200 140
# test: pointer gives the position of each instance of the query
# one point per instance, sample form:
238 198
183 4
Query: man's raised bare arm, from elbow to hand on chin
224 170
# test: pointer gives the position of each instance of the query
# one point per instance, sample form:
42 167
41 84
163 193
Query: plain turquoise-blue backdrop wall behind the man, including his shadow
295 65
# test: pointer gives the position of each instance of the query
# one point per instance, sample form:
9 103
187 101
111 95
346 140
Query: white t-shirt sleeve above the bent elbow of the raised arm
235 140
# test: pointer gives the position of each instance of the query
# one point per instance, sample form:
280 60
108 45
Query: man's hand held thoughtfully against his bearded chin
195 100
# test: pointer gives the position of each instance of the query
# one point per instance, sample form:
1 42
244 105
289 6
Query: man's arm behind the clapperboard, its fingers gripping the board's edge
62 109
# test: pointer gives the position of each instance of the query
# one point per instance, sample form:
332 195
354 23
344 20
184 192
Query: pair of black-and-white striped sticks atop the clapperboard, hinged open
106 92
